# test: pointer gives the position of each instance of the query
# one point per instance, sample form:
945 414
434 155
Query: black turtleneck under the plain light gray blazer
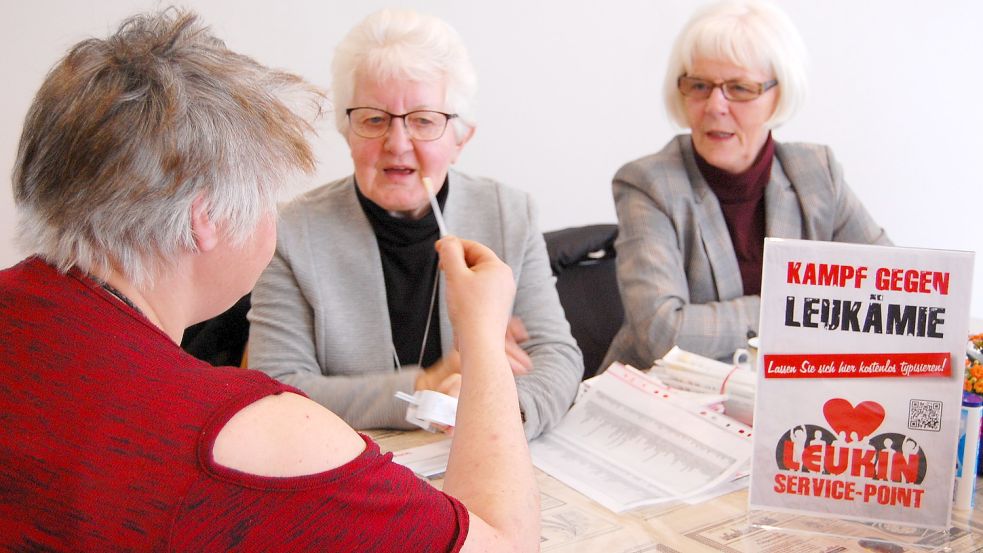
409 266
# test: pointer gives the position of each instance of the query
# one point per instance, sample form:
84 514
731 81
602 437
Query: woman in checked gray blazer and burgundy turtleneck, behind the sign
693 216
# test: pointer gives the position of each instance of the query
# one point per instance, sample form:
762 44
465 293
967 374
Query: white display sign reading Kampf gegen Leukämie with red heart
860 381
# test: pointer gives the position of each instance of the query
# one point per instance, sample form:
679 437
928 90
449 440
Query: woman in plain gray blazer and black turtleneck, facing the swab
351 309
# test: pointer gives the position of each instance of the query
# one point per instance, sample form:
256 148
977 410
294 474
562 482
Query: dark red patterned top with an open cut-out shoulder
106 432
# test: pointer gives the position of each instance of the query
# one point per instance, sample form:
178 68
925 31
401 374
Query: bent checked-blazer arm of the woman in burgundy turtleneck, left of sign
652 249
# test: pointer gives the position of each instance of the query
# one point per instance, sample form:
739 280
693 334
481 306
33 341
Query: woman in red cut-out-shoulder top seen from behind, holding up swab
146 182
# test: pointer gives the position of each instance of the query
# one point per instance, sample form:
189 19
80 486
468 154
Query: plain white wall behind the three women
570 90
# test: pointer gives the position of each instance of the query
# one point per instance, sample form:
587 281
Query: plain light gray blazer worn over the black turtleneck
320 321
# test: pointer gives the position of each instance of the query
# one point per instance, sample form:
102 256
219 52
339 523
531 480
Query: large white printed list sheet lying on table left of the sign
628 442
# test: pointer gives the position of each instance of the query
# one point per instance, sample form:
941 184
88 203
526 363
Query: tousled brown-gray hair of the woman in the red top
125 133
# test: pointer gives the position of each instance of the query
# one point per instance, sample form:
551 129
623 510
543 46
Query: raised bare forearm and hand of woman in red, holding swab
489 468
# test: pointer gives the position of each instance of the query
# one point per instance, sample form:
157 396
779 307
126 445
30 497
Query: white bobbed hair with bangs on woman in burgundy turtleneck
747 33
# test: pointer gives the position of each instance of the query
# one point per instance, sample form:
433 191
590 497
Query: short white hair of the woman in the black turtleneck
403 44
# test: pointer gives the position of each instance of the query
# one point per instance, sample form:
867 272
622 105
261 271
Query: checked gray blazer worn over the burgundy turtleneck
677 271
